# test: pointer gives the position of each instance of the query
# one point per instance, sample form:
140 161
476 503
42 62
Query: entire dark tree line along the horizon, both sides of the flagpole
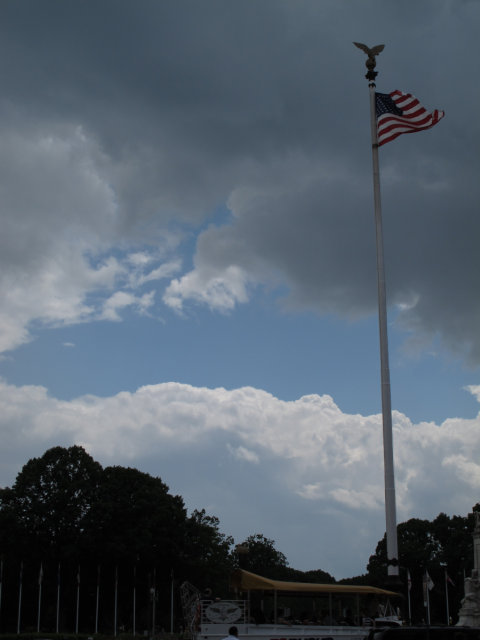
89 549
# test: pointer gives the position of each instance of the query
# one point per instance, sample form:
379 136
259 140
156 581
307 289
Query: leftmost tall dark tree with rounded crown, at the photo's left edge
42 525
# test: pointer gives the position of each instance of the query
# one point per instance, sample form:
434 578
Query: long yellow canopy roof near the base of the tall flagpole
246 581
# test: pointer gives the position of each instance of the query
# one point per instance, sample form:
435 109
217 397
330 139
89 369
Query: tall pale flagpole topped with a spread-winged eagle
390 505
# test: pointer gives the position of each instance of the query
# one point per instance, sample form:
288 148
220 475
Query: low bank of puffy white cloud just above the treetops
306 455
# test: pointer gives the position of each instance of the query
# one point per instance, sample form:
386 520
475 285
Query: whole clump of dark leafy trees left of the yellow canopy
114 529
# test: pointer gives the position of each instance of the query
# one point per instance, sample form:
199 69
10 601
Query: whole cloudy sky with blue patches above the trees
187 257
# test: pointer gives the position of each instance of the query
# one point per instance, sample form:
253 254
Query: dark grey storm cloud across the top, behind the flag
189 105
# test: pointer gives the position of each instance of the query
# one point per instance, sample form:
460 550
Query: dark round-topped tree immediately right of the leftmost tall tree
134 535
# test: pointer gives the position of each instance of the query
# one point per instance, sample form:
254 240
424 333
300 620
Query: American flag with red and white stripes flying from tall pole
399 112
